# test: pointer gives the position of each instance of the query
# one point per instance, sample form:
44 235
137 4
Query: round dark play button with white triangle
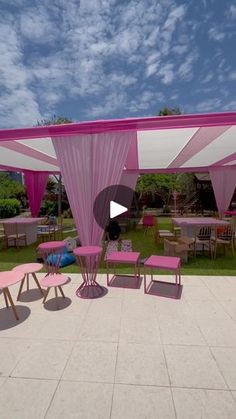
114 202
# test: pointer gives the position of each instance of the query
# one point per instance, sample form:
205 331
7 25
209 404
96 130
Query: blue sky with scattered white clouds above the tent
102 59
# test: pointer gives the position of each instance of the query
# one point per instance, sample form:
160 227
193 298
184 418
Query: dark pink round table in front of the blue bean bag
55 250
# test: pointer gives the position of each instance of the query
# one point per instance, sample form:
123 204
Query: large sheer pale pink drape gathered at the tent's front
90 163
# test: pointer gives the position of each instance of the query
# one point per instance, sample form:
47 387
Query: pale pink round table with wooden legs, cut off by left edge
7 279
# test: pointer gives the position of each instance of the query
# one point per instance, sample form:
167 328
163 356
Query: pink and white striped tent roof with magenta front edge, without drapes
166 144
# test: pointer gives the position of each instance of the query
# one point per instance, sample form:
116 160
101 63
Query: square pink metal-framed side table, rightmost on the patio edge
162 262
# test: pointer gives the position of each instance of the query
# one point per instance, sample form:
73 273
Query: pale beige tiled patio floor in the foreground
126 355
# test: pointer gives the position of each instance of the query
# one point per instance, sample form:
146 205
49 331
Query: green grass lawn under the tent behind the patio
202 265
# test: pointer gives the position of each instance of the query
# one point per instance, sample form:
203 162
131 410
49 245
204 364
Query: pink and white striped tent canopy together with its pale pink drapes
93 155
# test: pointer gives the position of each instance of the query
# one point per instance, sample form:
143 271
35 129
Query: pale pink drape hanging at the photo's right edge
223 182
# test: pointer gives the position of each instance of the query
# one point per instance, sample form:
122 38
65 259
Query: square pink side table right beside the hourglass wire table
131 258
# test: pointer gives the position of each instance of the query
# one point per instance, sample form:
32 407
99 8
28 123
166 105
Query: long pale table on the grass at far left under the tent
27 226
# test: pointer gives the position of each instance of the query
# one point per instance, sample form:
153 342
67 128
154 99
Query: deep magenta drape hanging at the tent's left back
35 183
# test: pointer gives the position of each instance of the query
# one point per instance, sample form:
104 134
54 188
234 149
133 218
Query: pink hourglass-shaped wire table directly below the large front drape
88 257
